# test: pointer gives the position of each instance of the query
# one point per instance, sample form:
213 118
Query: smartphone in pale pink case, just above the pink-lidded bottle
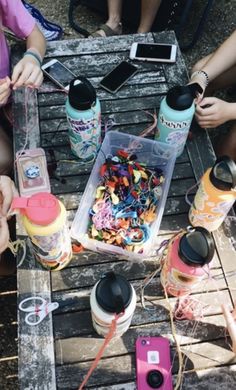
32 172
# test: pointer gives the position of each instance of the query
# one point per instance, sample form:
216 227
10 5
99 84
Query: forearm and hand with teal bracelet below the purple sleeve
28 71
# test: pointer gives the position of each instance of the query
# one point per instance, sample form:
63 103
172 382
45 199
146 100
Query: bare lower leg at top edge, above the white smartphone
149 10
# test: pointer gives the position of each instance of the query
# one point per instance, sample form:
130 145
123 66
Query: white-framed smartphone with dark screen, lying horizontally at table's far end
155 52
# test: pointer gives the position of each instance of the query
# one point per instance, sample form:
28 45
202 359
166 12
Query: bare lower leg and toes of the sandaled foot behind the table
114 17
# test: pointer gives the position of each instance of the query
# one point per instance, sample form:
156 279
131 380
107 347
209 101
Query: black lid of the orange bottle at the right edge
223 174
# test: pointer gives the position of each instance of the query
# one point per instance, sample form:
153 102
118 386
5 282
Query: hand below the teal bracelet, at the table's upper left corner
27 72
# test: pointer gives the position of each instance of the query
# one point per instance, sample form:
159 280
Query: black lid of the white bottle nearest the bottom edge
113 293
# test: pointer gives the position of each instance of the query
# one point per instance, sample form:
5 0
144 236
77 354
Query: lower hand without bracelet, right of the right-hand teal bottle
215 113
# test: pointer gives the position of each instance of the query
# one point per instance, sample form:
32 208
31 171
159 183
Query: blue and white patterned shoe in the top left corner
51 31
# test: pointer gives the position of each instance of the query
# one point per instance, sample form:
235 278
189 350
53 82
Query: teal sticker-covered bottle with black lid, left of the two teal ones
83 111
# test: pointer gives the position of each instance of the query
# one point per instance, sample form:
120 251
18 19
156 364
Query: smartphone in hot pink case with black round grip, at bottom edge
153 364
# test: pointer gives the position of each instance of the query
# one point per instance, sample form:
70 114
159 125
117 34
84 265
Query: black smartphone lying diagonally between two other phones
114 80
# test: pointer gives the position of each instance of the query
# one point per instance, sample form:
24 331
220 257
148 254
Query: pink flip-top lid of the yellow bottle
42 208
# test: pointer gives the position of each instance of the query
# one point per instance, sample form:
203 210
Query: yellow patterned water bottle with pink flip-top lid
44 219
